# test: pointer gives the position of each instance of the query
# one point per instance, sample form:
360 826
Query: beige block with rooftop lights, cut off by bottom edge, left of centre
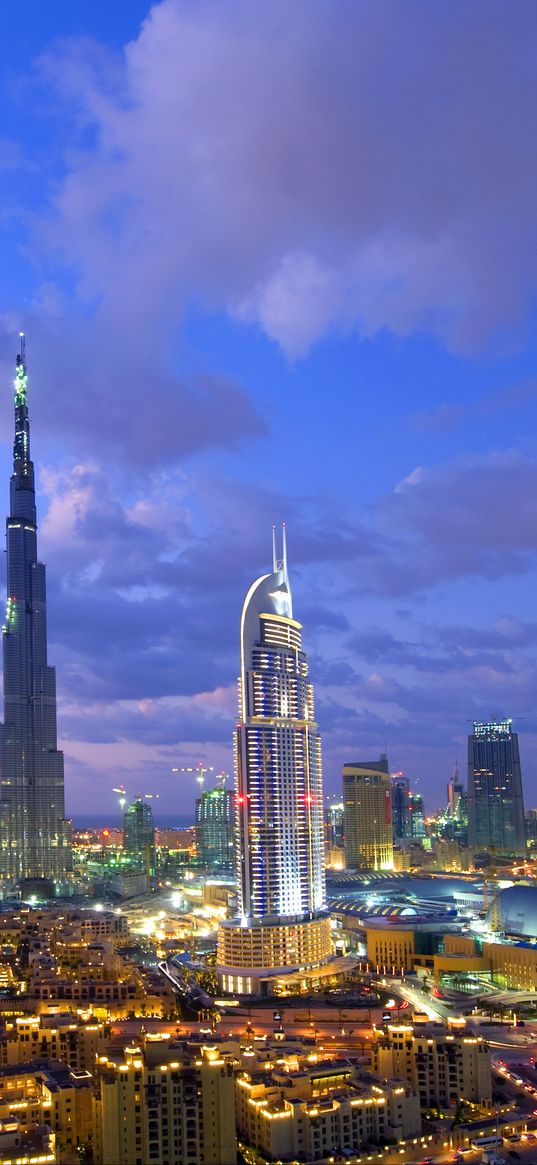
164 1105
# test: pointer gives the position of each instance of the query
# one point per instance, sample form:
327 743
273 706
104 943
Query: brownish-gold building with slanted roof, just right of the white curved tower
369 829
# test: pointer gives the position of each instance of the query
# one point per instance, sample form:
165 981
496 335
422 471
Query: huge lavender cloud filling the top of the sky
307 170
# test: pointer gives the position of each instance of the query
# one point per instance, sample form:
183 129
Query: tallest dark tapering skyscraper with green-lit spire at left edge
34 835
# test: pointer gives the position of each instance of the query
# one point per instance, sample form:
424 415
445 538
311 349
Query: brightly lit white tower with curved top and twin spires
284 928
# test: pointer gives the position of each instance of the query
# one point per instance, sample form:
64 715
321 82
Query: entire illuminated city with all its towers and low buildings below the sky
289 978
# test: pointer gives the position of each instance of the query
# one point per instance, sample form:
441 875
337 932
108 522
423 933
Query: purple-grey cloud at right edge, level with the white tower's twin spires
471 518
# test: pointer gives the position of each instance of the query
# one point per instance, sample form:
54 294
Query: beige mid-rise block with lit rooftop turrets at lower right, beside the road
441 1067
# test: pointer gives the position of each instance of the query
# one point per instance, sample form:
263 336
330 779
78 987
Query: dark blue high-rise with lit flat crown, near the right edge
496 802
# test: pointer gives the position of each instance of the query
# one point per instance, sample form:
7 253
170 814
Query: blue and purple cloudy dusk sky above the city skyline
277 263
